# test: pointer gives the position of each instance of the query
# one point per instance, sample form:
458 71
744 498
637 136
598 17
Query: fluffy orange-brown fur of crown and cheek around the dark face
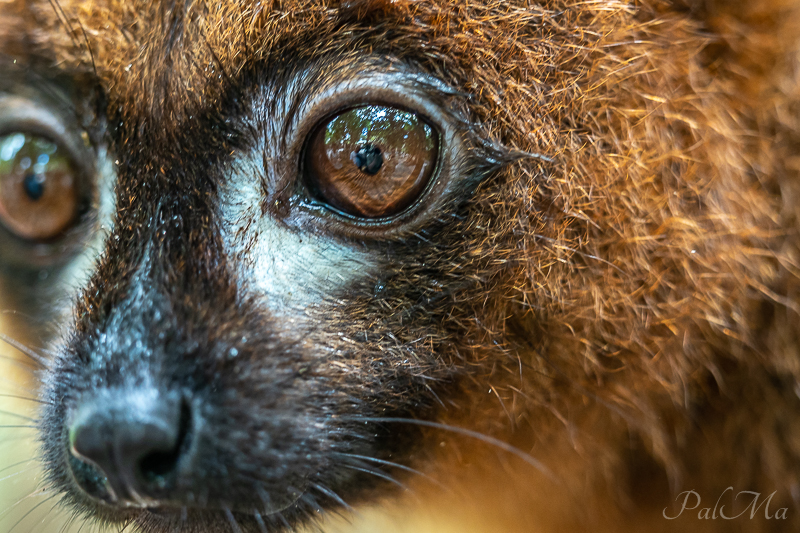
635 322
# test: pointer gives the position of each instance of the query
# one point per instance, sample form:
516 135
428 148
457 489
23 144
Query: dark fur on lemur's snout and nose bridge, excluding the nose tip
164 311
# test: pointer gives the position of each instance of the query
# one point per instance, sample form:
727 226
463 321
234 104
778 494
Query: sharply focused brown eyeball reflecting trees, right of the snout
372 161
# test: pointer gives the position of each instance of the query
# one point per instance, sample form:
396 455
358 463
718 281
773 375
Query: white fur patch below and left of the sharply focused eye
291 269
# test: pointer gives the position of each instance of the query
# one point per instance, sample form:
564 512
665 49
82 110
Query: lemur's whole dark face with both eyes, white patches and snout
257 271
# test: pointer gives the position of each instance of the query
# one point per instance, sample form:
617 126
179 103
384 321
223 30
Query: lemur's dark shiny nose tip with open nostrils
135 439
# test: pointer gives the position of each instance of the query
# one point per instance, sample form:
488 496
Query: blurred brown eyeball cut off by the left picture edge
38 187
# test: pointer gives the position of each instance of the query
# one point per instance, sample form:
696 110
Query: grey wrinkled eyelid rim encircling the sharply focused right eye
416 93
